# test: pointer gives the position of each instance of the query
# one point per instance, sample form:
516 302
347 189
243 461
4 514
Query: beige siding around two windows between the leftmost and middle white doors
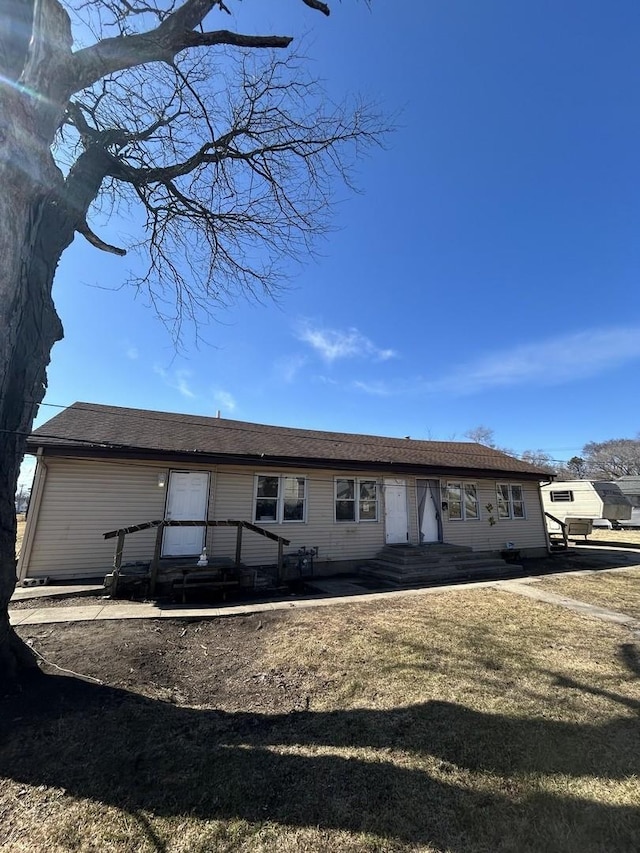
234 498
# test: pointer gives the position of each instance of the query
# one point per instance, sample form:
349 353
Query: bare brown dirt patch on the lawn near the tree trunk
210 663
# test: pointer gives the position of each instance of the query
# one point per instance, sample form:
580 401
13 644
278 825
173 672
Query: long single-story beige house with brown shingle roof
102 468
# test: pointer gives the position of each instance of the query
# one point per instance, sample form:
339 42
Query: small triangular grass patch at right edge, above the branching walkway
618 590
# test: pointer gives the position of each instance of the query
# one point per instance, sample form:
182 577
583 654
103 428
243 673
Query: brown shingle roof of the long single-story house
89 426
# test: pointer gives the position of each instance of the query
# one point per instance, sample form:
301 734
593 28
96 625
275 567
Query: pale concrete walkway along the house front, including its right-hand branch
110 610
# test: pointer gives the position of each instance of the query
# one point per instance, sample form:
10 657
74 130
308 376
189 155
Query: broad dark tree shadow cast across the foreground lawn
135 753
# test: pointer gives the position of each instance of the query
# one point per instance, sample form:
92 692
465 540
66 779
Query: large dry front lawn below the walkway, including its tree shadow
461 721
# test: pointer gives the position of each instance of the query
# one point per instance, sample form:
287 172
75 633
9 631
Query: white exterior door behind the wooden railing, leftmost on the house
186 501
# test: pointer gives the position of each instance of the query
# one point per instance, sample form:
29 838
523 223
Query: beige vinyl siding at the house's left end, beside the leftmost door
83 499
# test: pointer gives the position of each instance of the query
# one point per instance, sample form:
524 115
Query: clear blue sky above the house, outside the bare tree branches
487 273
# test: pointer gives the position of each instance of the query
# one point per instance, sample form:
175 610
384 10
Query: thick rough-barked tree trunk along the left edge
33 235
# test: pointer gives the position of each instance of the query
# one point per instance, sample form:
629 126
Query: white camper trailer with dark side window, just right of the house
599 500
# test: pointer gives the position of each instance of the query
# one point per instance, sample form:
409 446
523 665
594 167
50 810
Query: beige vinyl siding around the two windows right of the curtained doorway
480 535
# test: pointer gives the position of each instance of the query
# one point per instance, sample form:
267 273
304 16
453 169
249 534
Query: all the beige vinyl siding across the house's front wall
82 499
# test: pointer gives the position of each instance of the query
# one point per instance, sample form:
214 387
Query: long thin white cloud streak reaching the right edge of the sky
554 361
